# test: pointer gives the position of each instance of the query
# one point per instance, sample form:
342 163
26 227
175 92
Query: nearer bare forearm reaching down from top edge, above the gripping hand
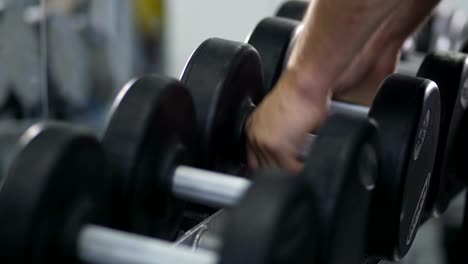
334 32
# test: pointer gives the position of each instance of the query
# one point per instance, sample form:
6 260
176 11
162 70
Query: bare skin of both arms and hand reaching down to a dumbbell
322 68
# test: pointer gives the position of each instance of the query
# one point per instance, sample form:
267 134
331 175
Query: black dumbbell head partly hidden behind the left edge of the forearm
271 37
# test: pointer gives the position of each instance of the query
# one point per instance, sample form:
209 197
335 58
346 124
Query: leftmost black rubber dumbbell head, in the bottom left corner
57 183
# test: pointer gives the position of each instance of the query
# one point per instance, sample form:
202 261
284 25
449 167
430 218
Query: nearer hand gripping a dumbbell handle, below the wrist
276 130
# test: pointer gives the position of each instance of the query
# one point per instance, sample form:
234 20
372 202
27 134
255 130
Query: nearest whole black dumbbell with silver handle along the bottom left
55 200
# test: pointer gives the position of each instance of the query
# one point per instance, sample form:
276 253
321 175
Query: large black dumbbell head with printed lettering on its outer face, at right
407 110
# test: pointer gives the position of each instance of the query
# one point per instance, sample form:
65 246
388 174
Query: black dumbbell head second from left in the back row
151 130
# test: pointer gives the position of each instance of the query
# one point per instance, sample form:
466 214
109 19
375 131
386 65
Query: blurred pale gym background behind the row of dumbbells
67 59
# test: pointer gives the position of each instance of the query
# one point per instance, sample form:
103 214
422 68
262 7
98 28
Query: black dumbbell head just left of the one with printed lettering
341 169
